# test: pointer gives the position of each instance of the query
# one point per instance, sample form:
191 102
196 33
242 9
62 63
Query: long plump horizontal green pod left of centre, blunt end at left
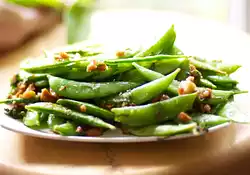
82 90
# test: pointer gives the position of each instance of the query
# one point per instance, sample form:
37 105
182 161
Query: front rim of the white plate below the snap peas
105 139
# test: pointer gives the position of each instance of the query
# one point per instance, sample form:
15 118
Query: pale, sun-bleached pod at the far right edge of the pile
231 112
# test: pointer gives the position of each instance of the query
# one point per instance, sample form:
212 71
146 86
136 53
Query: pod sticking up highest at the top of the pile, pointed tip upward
162 46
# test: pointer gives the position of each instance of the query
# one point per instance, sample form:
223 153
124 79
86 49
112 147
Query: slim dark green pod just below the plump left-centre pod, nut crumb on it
90 108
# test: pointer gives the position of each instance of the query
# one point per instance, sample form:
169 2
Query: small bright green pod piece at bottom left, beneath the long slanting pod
66 129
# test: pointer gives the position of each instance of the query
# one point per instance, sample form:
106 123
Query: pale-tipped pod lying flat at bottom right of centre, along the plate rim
163 130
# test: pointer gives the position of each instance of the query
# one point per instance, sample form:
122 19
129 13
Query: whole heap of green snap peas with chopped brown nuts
81 90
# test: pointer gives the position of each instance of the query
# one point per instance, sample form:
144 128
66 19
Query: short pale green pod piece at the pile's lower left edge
32 118
